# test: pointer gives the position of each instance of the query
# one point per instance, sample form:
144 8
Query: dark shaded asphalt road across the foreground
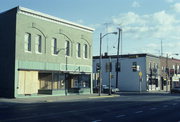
124 108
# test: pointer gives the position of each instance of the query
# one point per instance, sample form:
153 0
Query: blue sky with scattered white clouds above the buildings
144 23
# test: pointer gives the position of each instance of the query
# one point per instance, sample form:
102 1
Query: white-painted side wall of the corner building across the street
128 79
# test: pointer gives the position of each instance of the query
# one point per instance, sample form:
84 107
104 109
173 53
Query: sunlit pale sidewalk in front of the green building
45 98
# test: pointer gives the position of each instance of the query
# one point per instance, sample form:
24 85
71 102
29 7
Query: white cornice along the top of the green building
49 17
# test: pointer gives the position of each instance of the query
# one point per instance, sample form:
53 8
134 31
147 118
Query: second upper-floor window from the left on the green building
38 44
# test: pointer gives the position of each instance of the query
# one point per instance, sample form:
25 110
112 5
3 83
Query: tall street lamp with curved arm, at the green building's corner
100 59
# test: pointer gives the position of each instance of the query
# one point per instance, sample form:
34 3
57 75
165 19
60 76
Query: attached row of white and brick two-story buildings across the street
137 72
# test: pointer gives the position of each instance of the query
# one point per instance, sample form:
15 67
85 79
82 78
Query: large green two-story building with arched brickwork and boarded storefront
42 54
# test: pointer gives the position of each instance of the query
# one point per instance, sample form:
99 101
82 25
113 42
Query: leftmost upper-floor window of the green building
27 42
